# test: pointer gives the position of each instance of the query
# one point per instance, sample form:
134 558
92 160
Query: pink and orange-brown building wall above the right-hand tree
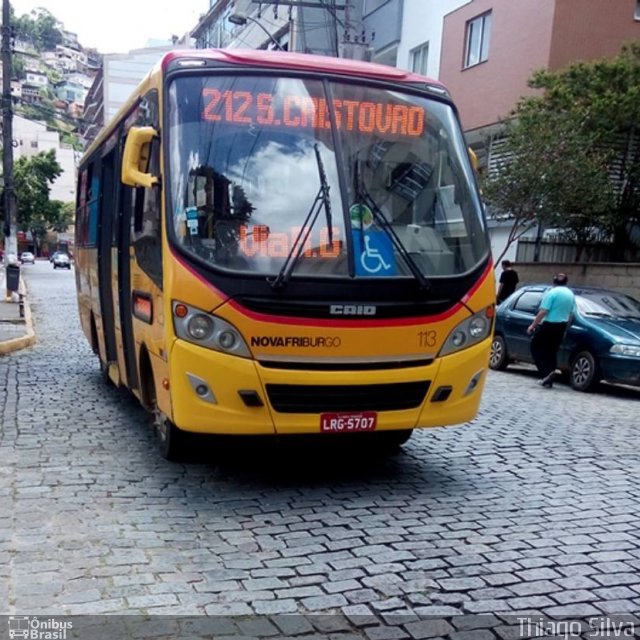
527 35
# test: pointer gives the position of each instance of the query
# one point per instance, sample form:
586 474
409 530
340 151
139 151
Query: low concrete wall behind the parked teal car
619 277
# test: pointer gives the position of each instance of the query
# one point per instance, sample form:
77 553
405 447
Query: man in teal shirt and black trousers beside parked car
556 310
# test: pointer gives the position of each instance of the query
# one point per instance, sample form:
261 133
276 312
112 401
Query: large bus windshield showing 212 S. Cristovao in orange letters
346 179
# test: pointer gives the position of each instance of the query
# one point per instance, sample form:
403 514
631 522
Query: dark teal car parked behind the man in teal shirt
602 342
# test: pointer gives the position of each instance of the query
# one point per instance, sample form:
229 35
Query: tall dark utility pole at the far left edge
10 227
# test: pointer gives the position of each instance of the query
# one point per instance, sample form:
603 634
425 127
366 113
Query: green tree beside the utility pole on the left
33 179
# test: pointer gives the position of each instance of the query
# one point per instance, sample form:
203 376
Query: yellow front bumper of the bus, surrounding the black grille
212 392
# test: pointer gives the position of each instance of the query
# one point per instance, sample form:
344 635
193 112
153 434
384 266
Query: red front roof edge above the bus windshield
302 61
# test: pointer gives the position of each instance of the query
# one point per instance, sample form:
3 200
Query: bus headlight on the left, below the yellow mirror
206 330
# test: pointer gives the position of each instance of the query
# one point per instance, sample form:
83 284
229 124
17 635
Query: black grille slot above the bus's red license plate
300 398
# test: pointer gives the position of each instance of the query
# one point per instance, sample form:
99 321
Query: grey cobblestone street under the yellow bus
531 507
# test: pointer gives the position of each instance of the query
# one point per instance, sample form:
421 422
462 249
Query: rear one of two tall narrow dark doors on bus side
105 228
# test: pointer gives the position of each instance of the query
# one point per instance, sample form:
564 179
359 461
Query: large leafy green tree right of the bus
572 154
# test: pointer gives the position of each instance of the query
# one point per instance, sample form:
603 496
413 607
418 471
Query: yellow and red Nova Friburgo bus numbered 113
280 243
